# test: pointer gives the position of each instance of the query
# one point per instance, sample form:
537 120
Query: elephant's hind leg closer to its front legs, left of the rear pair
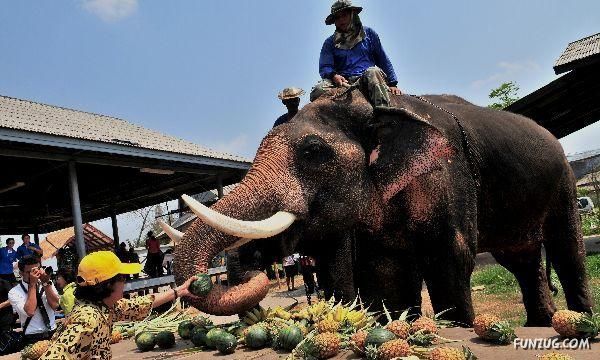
528 268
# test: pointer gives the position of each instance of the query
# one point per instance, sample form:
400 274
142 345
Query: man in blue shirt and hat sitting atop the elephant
354 54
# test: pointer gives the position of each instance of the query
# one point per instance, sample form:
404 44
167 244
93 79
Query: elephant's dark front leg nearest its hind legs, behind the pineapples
447 269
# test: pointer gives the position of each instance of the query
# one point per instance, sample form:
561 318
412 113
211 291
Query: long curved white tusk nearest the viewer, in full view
272 226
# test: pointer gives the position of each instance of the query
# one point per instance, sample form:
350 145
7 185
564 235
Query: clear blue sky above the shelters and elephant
209 71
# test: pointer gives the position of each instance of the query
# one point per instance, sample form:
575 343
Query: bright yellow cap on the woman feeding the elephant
101 266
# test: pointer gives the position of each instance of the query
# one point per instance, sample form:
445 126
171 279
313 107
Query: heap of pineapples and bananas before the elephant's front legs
330 327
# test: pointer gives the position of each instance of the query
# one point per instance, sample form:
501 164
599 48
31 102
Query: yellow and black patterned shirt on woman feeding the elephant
86 332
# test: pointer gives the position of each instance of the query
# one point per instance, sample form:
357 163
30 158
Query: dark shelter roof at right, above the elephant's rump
572 101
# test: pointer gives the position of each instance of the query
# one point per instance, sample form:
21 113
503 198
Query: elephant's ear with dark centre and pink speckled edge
407 145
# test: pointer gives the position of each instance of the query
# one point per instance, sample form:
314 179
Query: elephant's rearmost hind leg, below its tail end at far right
564 244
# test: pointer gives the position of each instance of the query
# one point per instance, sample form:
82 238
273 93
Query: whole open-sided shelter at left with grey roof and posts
63 167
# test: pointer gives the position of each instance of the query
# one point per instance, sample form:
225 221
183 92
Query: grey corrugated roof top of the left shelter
35 117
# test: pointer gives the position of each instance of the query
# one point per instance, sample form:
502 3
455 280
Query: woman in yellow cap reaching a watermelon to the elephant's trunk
100 282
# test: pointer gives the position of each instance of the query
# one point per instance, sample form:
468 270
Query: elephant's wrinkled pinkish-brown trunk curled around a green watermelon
257 197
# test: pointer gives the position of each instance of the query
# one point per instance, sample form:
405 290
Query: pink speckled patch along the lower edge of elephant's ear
435 149
